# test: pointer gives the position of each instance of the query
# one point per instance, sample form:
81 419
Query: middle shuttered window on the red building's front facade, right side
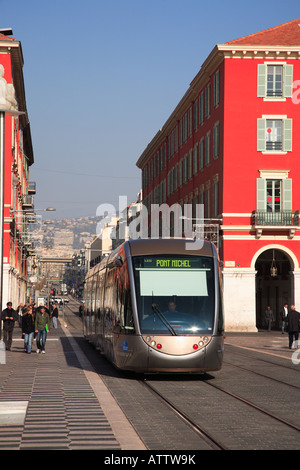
274 135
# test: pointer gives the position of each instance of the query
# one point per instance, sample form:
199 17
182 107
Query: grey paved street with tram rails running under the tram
239 407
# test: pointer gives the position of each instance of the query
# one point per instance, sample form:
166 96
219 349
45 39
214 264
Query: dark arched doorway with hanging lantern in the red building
273 288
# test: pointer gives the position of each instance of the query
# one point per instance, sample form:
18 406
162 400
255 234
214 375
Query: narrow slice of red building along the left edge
18 157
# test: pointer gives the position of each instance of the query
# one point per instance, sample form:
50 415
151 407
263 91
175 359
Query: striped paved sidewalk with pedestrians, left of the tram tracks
56 401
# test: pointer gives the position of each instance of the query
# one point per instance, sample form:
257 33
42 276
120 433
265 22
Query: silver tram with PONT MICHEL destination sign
156 306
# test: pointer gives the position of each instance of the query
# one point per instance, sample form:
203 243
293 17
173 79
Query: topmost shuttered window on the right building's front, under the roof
274 80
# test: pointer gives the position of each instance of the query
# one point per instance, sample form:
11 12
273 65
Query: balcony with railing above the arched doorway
282 220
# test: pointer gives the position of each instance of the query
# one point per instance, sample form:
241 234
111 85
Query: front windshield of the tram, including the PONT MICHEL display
175 294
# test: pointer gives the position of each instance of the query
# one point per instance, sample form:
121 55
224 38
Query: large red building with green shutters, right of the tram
232 143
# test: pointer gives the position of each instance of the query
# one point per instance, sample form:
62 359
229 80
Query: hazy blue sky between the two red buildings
101 77
